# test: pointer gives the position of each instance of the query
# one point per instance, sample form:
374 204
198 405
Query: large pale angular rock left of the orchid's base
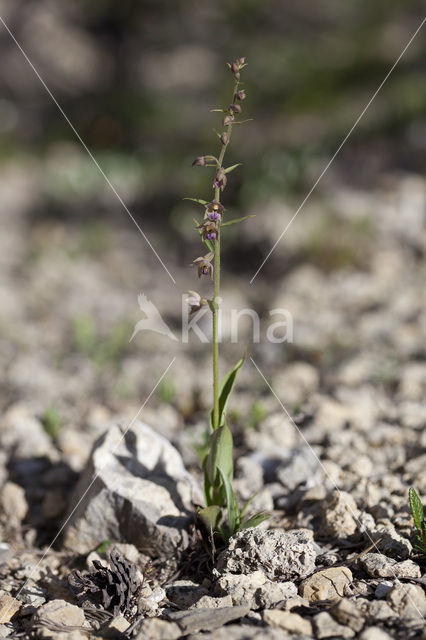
135 489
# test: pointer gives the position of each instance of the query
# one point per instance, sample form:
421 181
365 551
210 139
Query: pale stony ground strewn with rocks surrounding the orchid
330 447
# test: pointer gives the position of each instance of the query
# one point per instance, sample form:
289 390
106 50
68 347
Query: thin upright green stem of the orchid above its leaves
215 304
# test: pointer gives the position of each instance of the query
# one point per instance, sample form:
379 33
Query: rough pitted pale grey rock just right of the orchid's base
282 555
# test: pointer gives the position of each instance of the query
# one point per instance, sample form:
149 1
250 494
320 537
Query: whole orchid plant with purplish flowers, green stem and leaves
221 515
